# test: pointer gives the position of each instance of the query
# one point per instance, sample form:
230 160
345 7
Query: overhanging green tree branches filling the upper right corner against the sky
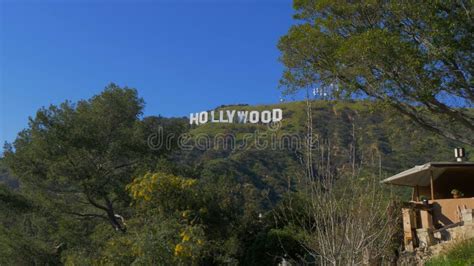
415 56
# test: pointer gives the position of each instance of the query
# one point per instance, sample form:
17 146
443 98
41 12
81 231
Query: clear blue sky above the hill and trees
182 56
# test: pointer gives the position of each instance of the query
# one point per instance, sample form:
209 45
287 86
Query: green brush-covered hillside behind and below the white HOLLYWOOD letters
359 133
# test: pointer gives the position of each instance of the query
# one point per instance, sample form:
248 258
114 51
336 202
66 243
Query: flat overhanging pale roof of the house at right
420 175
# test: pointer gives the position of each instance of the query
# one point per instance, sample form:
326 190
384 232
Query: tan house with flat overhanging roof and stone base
442 202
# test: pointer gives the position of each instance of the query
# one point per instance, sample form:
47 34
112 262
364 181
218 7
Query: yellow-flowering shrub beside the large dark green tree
174 197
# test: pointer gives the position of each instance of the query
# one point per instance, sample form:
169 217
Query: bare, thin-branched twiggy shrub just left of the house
340 217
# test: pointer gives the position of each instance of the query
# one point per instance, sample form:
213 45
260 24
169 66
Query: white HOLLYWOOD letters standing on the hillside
233 116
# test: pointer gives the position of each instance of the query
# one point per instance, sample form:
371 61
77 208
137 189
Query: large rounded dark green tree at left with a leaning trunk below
79 157
